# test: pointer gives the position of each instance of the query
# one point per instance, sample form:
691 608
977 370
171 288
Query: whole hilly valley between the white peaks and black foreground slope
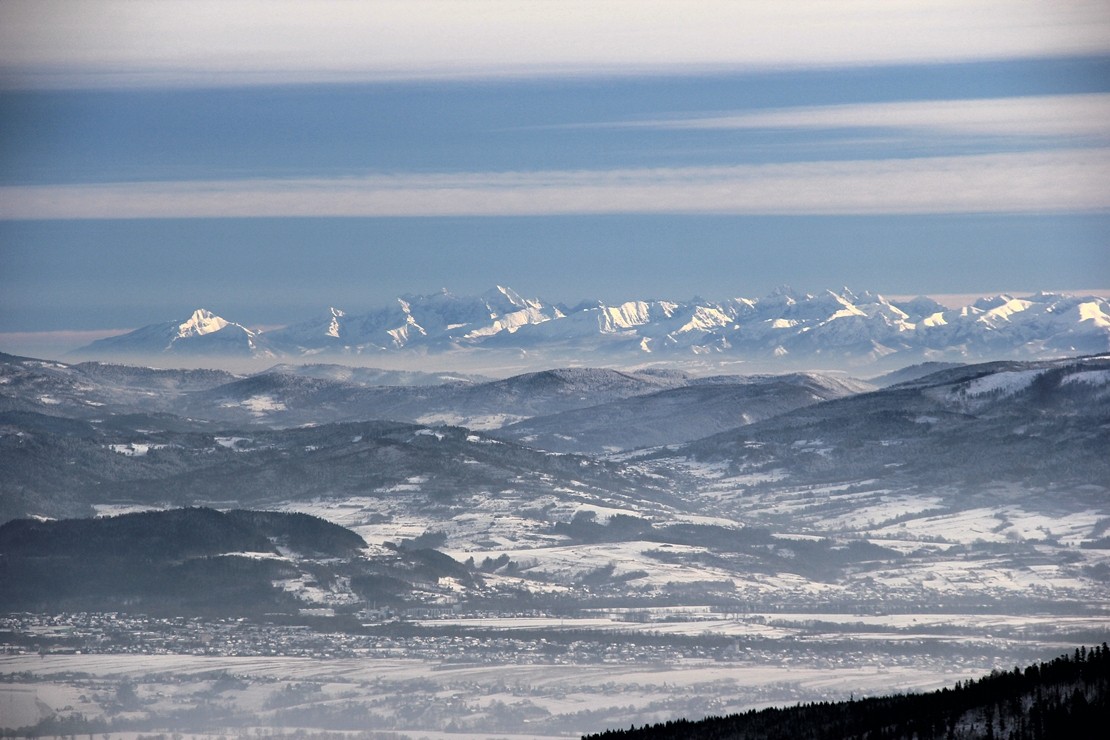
843 539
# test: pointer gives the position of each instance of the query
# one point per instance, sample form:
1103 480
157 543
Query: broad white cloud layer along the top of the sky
207 43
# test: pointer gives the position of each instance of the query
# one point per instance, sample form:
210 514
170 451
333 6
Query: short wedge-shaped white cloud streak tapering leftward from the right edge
1081 116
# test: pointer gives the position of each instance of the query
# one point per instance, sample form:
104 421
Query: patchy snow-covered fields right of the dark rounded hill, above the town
937 552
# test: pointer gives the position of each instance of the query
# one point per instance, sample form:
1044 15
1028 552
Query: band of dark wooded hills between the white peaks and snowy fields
274 438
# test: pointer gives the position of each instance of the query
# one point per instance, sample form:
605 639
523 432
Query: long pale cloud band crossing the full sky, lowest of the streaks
1030 183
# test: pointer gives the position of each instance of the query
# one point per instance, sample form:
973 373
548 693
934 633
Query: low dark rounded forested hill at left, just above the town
180 562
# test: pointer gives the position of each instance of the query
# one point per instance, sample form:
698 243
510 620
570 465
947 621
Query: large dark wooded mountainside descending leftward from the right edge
1038 424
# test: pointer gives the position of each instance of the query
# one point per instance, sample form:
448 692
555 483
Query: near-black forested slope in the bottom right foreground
1066 698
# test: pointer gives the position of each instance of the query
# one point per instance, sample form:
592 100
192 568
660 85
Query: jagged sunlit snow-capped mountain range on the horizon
784 327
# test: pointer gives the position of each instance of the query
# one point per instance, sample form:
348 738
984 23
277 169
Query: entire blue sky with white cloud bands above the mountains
269 160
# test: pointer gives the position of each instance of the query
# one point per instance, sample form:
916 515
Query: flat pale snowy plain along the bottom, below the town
429 696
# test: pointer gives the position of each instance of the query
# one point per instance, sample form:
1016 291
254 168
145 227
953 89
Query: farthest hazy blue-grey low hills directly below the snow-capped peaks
289 396
